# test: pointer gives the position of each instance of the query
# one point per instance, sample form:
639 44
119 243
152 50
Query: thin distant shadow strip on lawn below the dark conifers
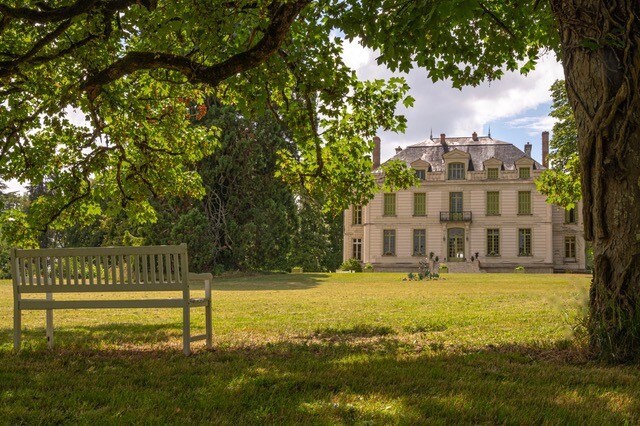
270 282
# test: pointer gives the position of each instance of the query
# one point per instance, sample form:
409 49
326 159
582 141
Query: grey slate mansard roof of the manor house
431 151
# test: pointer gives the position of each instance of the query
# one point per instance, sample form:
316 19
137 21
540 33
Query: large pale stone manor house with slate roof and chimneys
476 208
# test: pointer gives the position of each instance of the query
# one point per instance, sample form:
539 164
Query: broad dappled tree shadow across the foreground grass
342 378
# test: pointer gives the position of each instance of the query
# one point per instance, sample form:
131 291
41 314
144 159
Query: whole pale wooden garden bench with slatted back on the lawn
106 269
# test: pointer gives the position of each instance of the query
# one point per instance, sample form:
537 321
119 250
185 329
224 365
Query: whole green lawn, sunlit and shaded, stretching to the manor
324 348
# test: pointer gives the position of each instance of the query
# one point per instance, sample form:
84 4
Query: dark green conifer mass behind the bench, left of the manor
246 218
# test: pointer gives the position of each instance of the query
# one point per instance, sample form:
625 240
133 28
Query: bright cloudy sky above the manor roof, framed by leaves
516 108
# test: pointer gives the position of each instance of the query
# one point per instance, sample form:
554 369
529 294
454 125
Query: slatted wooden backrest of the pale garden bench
100 269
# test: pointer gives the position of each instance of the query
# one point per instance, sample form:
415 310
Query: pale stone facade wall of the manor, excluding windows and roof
546 222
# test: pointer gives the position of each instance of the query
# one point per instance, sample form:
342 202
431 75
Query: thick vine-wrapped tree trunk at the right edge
600 46
